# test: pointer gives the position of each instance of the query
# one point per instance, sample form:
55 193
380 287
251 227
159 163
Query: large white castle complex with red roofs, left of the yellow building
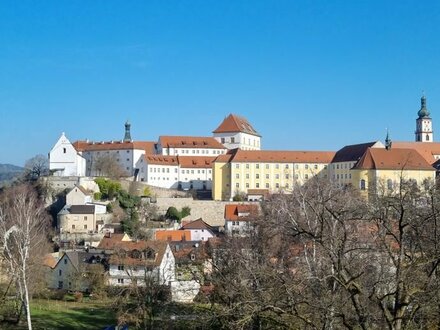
179 162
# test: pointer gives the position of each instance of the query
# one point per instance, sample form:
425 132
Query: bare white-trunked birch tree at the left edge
23 224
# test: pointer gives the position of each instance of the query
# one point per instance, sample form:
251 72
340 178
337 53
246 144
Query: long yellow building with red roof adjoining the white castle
240 171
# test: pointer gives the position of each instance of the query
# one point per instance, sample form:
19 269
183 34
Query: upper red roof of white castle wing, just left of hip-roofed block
190 142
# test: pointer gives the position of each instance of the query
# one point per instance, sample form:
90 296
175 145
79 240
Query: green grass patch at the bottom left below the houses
53 314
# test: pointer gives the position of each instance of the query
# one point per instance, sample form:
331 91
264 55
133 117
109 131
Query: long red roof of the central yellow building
277 156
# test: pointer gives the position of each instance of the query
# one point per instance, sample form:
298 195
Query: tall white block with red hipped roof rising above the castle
236 132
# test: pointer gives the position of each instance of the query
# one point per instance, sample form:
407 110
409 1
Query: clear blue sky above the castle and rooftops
309 75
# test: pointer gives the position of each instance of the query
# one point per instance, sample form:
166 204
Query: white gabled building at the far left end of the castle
65 160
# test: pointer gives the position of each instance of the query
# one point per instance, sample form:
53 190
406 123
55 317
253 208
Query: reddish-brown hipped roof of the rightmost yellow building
393 159
